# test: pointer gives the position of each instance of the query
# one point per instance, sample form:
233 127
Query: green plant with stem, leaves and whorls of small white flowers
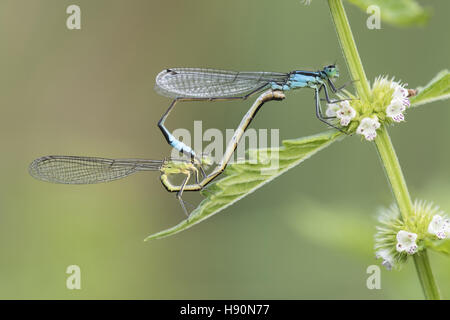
406 230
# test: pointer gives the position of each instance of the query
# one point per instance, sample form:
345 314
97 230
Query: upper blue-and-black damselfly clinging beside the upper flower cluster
191 84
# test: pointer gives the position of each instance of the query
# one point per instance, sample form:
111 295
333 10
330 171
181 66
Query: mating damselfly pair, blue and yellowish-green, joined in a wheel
192 84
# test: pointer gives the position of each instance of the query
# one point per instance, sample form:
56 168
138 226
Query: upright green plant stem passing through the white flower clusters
383 142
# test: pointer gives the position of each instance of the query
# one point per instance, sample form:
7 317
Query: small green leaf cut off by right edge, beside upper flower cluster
437 89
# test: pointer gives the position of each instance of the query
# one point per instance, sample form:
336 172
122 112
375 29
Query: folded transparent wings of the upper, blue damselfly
209 83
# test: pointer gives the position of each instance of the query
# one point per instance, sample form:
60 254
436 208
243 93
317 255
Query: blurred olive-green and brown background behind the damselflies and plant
306 235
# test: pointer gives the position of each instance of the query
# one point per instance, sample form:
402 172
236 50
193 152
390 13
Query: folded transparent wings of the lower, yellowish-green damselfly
86 170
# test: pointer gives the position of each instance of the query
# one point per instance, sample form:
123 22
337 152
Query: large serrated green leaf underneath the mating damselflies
241 179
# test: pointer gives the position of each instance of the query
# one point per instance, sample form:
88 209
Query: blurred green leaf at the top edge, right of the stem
397 12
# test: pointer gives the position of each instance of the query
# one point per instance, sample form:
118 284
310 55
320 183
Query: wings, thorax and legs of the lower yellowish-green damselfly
89 170
